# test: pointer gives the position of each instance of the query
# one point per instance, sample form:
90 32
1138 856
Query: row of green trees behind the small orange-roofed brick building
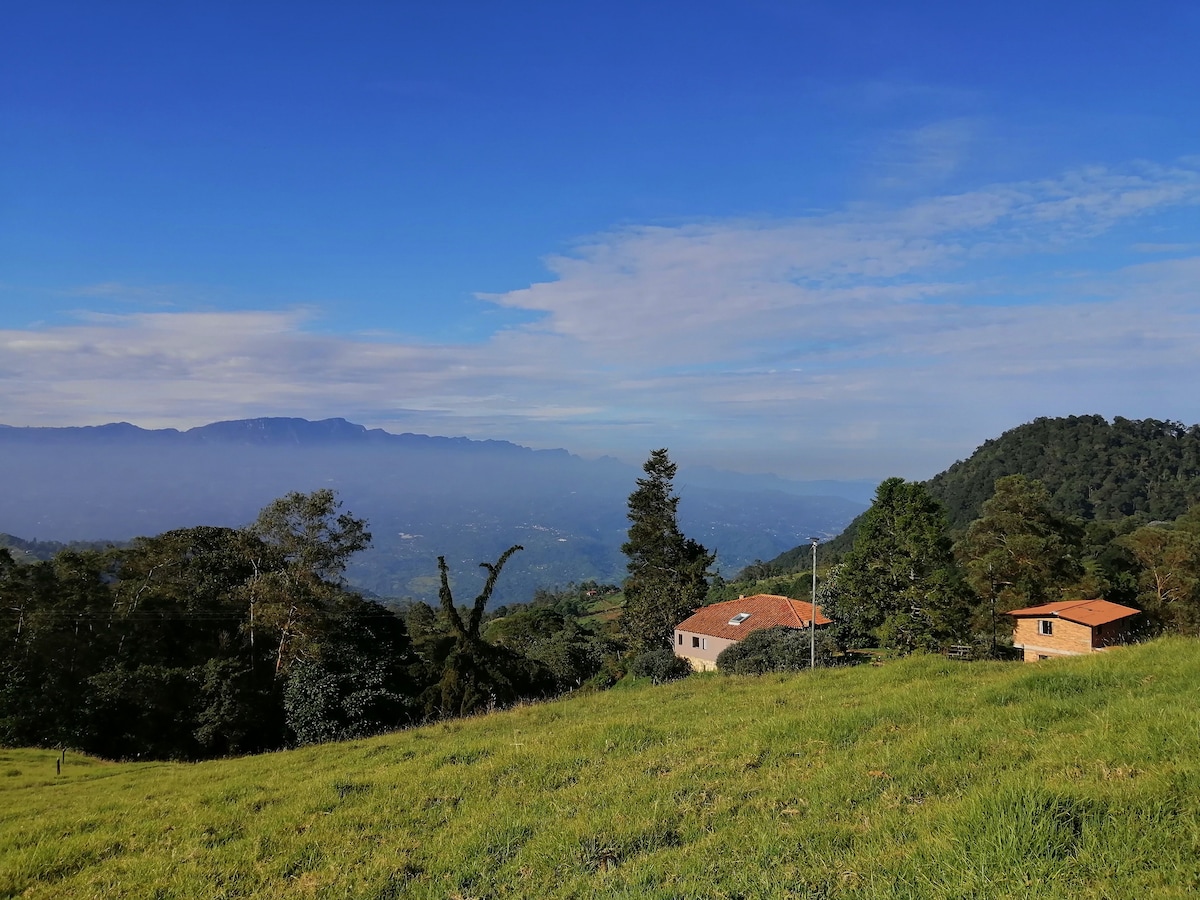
909 585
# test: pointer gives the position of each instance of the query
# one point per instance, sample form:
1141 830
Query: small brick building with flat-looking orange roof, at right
1071 628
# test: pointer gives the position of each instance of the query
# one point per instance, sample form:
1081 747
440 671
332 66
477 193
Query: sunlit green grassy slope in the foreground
923 778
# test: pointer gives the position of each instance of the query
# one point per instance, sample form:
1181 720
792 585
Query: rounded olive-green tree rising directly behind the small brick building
1021 553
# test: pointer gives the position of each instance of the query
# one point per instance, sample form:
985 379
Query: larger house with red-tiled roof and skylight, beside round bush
711 629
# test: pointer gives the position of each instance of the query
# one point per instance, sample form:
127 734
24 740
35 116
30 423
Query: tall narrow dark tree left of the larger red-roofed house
668 573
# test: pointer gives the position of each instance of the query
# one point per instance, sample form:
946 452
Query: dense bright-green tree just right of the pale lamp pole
899 586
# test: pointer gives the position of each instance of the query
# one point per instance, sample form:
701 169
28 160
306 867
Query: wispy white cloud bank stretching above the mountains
863 343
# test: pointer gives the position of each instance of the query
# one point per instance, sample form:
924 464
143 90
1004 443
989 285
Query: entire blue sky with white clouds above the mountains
819 239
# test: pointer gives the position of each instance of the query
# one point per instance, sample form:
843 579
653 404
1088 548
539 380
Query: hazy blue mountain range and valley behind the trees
423 496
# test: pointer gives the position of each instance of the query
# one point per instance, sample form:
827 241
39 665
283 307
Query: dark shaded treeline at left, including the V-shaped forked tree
207 643
